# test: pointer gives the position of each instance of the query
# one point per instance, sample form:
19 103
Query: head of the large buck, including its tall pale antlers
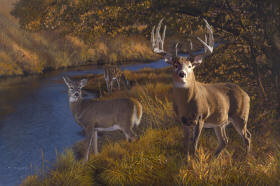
183 67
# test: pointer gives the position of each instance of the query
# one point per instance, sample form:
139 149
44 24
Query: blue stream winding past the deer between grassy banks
35 119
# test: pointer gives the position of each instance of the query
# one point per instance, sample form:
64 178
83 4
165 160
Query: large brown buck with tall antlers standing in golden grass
199 105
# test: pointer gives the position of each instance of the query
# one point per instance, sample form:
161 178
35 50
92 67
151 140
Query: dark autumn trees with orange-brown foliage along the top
250 28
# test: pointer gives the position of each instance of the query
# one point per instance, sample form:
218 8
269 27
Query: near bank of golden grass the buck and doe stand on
158 157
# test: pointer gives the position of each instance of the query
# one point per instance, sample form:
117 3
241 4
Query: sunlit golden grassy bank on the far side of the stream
23 53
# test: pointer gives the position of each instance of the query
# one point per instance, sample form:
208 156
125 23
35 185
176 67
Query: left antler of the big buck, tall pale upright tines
158 40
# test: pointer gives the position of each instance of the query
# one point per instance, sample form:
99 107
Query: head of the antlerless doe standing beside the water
74 88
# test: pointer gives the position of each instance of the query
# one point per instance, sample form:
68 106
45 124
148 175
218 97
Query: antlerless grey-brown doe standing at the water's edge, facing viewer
108 115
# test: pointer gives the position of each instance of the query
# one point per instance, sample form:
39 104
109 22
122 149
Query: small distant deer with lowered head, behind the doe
112 74
